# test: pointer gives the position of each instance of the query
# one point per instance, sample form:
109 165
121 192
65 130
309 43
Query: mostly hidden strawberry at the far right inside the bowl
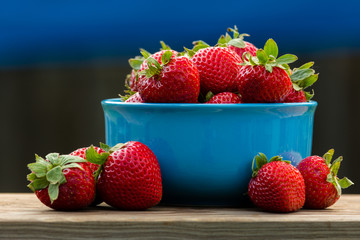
302 78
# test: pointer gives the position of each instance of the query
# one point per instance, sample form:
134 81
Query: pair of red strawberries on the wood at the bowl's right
277 186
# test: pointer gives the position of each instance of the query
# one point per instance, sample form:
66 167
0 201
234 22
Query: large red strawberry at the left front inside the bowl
165 77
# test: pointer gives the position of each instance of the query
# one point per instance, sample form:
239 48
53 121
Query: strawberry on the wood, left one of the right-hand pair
276 185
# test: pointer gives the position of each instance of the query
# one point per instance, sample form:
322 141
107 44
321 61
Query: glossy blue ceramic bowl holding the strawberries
205 151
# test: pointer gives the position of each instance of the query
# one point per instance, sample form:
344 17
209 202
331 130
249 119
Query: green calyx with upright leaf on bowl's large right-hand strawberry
268 57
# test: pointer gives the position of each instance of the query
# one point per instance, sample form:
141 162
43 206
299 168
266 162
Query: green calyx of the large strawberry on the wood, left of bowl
93 156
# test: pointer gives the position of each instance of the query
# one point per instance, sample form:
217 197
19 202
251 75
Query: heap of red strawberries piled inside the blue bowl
232 71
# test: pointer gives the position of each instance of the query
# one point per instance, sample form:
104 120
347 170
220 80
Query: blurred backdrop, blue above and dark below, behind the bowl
59 59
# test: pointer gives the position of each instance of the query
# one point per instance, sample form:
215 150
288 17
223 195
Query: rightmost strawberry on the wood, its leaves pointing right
323 187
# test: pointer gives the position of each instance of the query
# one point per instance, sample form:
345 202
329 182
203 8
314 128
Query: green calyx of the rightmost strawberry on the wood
334 168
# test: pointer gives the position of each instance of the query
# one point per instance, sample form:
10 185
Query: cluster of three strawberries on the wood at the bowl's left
126 176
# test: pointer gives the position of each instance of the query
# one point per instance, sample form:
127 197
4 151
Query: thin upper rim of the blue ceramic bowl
117 101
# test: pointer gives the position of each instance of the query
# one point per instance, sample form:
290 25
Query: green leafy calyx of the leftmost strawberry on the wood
49 172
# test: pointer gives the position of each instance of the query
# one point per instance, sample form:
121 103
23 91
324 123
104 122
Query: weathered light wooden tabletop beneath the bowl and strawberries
22 216
